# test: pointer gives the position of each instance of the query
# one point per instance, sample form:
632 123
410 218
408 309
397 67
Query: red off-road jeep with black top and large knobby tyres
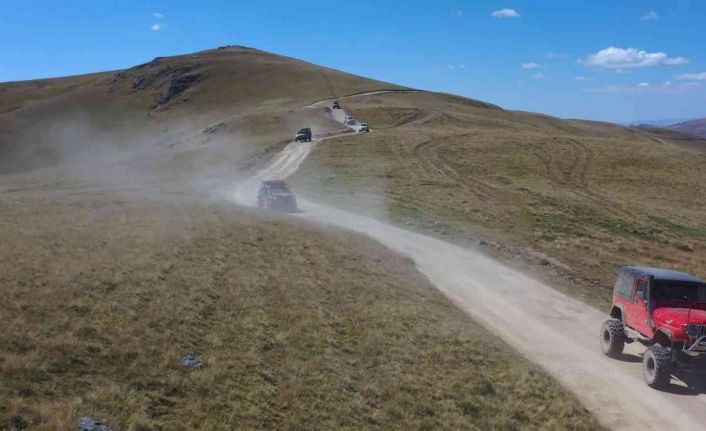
662 309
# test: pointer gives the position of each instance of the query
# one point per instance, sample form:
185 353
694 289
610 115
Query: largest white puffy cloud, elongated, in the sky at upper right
620 58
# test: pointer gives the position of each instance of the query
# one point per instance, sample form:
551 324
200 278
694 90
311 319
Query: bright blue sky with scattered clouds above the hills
606 60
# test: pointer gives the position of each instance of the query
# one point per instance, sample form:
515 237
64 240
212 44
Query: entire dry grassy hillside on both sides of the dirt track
116 263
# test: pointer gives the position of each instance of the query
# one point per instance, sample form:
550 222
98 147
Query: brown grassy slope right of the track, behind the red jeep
576 199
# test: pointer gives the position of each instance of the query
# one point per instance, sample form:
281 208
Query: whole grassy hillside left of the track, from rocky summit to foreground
115 265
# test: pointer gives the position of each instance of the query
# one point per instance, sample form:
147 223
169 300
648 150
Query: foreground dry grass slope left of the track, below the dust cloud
298 328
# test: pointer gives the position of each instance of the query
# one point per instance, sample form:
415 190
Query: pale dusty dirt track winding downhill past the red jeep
548 327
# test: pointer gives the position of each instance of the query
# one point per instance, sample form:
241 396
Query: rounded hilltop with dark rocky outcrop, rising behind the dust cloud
230 103
